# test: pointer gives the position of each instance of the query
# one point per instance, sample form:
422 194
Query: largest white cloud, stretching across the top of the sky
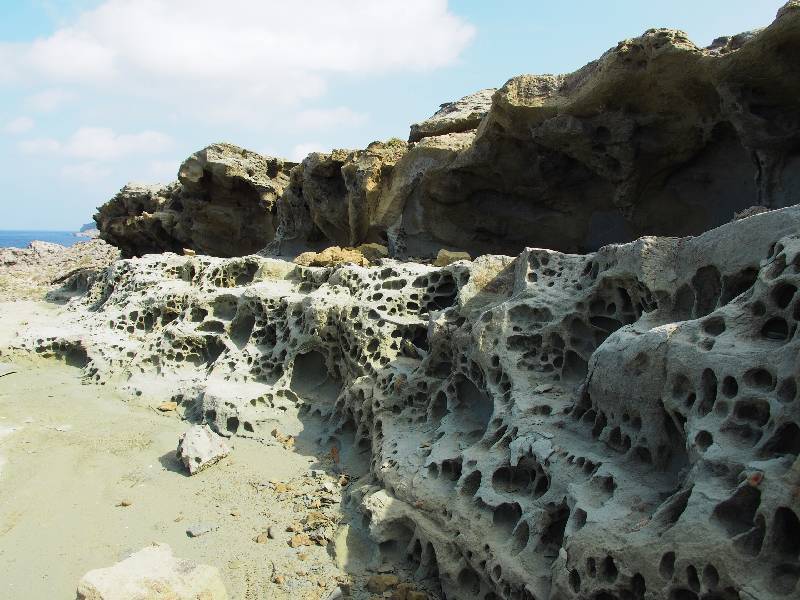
240 62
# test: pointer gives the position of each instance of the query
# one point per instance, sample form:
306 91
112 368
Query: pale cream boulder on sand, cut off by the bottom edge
150 574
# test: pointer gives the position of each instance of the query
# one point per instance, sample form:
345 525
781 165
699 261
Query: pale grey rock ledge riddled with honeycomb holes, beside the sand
618 425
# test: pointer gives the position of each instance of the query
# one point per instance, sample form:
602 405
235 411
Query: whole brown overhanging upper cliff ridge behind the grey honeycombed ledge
656 137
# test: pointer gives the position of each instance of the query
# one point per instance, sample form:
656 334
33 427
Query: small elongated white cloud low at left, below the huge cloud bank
99 144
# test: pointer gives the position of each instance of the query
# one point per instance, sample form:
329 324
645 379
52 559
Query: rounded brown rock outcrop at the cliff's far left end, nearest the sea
224 204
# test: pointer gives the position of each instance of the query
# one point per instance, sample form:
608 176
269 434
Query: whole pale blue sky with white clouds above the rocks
97 93
